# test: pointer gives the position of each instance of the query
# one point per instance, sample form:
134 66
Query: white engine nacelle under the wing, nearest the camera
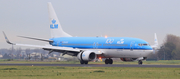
86 56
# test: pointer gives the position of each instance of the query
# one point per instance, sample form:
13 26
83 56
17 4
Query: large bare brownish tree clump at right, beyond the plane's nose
169 50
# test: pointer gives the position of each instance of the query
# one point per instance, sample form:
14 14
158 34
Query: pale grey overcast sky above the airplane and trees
90 18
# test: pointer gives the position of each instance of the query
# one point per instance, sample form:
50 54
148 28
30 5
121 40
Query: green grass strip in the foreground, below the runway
37 72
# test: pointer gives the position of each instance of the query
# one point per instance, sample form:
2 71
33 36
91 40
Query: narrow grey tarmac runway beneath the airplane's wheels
92 65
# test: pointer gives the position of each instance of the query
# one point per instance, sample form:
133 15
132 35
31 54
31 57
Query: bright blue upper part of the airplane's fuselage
101 43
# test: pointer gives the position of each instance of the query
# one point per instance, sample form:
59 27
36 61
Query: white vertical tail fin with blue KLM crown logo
55 26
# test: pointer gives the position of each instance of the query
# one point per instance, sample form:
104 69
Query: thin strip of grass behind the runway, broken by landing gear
160 62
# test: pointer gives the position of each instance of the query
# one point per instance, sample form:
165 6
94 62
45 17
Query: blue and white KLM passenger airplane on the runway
87 49
